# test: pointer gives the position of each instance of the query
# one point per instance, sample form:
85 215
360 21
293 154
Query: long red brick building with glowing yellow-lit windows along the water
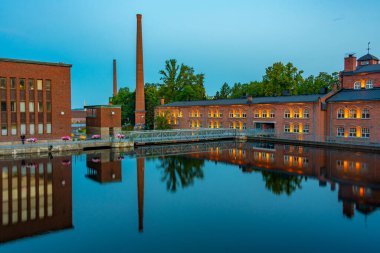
349 113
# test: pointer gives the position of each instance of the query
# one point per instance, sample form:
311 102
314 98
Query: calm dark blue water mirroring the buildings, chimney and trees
214 197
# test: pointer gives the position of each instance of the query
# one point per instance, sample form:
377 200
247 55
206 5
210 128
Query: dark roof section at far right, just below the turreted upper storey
347 95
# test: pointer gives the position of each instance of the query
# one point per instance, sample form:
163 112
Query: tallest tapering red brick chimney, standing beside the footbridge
140 99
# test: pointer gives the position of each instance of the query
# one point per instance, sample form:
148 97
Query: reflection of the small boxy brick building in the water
104 166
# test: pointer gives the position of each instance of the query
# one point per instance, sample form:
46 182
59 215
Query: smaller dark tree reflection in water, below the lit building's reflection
279 183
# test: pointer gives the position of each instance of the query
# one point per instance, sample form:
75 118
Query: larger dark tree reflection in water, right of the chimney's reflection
180 171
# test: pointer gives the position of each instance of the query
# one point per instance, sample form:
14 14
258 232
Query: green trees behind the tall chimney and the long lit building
179 82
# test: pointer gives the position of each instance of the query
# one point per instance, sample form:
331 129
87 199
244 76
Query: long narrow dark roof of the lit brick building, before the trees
244 101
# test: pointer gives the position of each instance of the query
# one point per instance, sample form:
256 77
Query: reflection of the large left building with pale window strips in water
36 196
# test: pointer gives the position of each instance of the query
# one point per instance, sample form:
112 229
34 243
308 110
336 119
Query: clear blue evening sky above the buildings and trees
229 41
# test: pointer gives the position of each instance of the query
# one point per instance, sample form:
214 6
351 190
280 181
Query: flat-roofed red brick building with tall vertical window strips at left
35 99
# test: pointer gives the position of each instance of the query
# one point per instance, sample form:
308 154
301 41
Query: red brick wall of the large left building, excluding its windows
60 97
